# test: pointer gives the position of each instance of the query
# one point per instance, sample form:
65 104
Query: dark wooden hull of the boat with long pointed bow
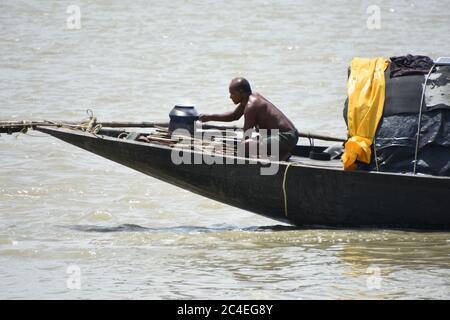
304 192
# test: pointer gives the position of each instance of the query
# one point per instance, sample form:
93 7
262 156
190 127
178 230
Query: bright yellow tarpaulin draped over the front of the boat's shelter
366 93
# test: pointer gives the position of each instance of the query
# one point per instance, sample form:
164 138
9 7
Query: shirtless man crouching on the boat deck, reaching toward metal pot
258 113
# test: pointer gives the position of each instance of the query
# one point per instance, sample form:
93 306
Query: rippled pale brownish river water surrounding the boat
77 226
